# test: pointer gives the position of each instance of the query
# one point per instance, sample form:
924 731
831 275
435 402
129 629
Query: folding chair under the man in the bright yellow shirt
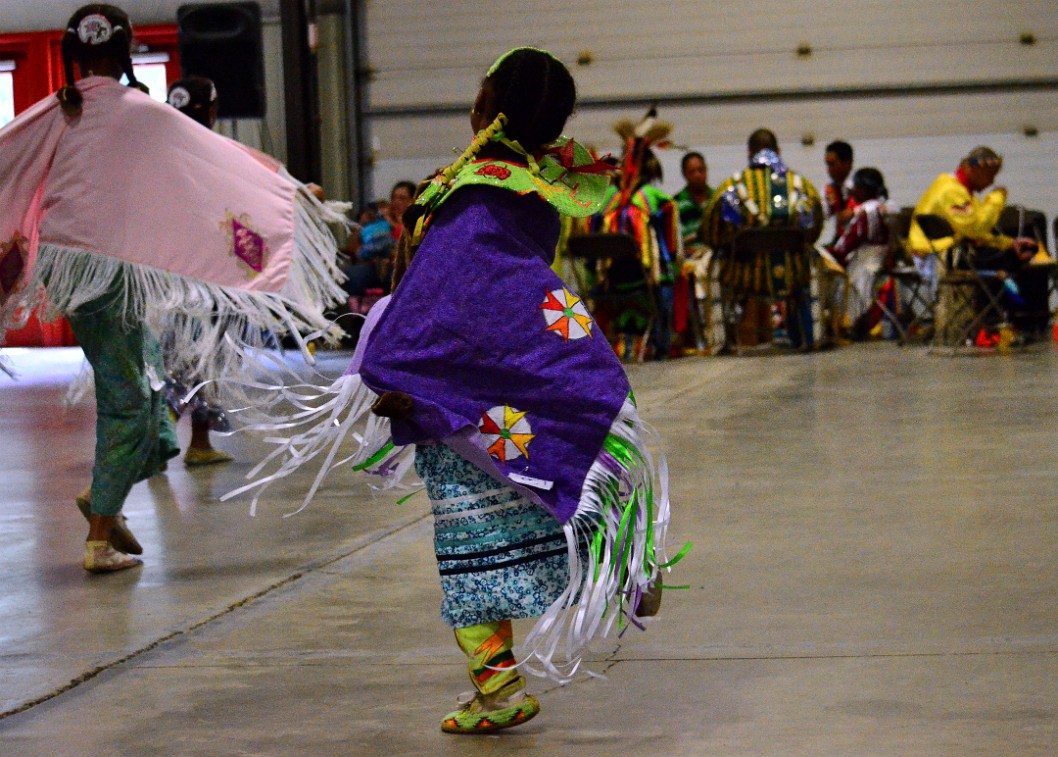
959 315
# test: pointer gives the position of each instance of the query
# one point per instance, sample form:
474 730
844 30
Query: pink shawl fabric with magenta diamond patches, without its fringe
136 180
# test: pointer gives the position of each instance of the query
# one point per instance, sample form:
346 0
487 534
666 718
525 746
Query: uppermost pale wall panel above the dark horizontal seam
436 53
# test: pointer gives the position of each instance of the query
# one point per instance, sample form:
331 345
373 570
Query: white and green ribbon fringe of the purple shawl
624 510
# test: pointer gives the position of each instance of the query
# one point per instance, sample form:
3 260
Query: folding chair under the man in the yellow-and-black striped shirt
771 264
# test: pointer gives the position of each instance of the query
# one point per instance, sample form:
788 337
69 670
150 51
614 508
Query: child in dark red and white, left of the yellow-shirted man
864 245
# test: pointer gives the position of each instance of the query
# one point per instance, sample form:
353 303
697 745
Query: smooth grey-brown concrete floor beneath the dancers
874 573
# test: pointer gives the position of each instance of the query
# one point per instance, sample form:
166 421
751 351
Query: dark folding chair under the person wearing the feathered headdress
615 256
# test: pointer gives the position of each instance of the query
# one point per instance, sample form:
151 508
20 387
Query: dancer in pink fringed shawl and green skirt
117 211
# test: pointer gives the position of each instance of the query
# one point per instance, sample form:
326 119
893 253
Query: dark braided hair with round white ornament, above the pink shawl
96 33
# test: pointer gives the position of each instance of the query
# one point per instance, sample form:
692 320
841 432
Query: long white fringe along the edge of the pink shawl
209 330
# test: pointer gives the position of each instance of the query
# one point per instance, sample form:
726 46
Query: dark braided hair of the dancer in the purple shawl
536 93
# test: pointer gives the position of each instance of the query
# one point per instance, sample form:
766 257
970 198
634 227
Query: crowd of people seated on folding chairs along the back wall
687 241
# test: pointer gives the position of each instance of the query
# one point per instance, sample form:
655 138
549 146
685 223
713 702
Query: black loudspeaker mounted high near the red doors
223 42
